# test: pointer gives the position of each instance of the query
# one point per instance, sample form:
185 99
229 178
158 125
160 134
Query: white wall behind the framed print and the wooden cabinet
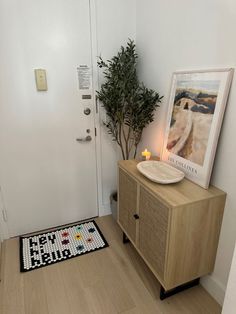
181 35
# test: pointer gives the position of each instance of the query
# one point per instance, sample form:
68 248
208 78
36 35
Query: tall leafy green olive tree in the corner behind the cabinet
129 105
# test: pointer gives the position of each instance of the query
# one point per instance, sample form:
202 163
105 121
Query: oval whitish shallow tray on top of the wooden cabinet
160 172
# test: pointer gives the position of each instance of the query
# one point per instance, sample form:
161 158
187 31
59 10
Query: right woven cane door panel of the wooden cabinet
153 226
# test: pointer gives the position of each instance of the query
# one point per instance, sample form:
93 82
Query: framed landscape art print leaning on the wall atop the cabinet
195 113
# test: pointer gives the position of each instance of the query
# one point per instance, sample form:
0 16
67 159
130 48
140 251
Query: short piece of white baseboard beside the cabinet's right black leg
214 287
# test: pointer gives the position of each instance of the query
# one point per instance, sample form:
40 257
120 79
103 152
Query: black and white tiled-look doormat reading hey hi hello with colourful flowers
55 246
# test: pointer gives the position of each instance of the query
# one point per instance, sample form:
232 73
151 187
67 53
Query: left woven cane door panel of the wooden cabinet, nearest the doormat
127 204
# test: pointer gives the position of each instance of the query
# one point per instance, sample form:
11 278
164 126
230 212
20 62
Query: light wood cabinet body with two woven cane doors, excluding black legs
175 228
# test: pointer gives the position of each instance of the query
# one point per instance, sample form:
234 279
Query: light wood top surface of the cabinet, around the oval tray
176 194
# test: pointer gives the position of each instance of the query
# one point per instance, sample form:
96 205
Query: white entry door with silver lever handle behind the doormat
47 177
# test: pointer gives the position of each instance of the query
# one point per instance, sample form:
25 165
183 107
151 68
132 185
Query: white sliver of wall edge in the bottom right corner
230 300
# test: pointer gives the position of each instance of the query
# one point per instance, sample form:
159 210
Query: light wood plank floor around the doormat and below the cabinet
112 280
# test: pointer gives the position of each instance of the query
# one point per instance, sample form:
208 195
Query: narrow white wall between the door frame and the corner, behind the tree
115 24
